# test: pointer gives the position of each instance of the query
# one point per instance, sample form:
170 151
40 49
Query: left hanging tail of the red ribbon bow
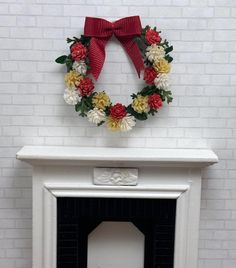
96 55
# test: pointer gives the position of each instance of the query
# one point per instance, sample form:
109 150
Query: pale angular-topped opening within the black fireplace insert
115 245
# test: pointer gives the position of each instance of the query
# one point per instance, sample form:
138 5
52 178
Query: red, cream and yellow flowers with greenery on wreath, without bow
97 106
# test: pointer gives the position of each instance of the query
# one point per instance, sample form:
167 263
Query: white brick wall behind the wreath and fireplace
203 113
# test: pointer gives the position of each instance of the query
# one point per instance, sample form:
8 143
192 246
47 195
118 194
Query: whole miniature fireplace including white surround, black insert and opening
88 203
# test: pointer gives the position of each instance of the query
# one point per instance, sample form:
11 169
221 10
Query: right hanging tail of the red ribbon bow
134 53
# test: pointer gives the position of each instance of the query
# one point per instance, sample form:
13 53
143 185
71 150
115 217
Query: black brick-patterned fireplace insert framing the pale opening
78 217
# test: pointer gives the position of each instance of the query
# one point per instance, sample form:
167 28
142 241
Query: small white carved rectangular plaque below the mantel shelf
115 176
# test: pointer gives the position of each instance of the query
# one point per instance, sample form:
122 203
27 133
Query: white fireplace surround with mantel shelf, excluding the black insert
116 173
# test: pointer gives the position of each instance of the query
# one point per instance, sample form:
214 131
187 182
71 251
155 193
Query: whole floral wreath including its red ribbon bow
146 49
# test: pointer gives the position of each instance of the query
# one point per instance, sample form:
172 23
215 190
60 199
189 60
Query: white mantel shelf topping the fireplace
46 155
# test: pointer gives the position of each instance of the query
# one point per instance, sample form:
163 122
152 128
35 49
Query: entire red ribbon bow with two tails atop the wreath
101 31
